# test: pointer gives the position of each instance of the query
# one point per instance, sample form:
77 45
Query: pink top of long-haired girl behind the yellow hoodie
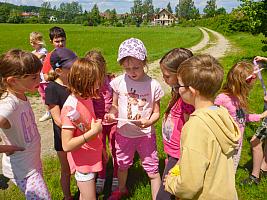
231 103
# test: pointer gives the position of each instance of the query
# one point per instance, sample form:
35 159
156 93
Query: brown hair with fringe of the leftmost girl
17 63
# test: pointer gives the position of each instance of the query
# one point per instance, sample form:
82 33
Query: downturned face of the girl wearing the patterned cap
134 68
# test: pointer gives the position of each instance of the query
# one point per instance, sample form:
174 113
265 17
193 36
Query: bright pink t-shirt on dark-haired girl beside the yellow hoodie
172 127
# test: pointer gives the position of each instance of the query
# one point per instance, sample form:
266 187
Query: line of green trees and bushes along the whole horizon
250 16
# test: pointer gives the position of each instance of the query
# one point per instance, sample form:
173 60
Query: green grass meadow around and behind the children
158 41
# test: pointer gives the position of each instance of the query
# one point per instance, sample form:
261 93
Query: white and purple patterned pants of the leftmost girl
33 187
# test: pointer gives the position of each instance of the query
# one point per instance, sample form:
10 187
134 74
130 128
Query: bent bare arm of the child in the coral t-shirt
70 143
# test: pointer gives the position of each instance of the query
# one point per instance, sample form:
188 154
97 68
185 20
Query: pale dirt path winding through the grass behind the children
45 128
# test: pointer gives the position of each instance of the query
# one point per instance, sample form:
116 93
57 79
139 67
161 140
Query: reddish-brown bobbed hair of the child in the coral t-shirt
85 78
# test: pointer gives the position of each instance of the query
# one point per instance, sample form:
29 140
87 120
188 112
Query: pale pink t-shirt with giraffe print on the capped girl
135 101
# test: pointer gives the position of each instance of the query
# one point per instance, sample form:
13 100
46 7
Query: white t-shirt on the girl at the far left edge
23 133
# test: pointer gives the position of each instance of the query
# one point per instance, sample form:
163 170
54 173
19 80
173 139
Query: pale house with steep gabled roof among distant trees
164 18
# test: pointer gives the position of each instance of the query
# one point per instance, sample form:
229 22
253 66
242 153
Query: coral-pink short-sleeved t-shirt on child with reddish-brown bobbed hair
88 158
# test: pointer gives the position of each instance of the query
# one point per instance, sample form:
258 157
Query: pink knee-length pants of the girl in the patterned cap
145 146
